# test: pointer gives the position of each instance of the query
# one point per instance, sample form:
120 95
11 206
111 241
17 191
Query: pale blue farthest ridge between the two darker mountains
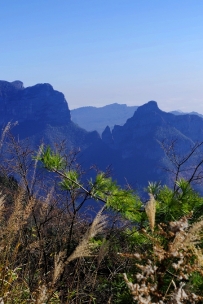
93 118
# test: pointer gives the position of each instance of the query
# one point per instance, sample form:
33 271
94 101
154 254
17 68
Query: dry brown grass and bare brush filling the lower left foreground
46 256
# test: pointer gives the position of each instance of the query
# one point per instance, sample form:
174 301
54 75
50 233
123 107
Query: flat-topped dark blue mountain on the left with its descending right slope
41 113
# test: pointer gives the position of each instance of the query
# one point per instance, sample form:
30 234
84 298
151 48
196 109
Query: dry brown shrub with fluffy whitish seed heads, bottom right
173 263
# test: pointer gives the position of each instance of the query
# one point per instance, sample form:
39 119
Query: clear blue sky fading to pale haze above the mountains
99 52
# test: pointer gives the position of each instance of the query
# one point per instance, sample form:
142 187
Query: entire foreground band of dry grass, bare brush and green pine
56 248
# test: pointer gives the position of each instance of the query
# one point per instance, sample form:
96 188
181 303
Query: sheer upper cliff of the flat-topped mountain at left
37 103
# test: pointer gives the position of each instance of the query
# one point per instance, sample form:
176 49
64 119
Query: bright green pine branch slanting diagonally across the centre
103 188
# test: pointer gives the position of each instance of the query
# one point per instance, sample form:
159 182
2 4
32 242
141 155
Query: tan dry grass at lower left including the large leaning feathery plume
24 248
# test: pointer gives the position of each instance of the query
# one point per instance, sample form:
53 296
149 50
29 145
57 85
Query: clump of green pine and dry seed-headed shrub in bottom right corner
168 257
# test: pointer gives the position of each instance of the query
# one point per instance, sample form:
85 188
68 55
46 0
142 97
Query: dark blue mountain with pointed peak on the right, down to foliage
134 149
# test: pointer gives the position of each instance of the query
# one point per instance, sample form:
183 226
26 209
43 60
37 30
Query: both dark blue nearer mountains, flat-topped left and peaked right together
134 151
